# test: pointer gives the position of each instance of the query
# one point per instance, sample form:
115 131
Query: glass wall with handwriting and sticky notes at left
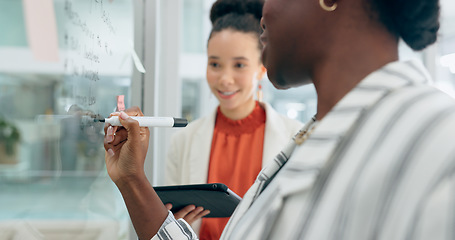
62 63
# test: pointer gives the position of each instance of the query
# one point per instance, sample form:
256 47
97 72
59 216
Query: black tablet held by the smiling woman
216 197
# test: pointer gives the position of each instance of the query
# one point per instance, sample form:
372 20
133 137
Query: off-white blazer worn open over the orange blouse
189 151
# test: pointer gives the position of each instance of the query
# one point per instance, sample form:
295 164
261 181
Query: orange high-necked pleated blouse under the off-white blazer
235 159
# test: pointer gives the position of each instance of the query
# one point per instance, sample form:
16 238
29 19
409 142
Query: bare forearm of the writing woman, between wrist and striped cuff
145 208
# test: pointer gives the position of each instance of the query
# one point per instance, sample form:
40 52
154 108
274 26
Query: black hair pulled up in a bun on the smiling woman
238 15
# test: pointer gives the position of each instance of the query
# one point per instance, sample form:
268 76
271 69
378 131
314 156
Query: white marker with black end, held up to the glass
149 121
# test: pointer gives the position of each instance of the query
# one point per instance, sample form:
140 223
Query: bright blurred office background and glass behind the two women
53 182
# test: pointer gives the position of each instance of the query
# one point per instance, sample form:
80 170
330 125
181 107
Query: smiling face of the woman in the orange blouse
233 69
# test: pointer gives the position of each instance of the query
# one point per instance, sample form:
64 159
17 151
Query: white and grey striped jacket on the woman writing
379 165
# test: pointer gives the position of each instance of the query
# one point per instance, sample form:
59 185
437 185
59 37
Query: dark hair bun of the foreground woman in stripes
415 21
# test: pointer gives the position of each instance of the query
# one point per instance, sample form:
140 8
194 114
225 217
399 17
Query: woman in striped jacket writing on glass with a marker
378 160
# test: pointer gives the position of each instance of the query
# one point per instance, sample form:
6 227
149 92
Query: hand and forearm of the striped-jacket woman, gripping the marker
125 156
